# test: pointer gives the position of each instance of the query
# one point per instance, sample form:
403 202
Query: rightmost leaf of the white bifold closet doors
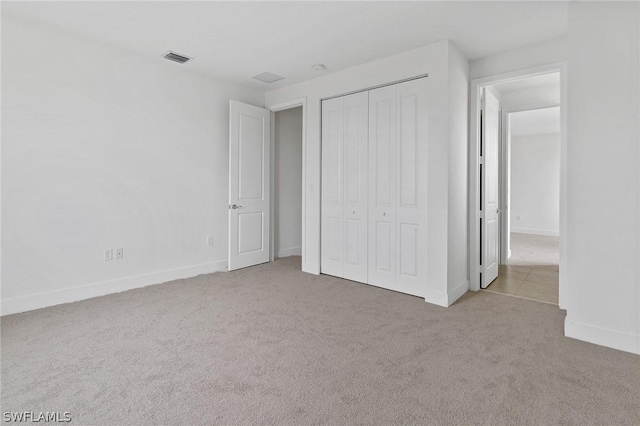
411 206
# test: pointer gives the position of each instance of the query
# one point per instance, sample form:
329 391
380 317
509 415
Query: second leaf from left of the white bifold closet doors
356 116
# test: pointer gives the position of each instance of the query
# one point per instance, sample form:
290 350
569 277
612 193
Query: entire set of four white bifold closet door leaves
374 179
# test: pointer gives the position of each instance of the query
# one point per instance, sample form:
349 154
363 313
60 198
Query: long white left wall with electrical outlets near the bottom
104 149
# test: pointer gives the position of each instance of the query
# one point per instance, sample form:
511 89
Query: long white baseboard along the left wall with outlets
15 305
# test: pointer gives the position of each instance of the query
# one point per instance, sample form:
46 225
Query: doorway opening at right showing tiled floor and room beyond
532 200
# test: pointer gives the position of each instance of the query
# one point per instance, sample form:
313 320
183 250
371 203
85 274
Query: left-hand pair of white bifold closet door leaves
344 187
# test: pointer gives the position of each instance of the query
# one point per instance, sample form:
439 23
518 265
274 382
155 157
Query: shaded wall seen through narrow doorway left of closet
288 182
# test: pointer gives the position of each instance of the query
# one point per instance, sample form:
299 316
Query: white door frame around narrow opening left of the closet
295 103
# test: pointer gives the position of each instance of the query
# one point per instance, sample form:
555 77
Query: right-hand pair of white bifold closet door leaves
397 187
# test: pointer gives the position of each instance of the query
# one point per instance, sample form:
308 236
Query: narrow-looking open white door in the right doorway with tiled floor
489 188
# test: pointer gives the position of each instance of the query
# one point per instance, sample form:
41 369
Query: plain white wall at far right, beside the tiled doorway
604 174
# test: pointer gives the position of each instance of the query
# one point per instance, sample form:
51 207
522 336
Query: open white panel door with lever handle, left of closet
249 186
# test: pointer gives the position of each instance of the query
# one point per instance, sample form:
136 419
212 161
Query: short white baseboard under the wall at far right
602 336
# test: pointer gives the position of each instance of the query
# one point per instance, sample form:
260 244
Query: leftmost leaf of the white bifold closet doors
332 211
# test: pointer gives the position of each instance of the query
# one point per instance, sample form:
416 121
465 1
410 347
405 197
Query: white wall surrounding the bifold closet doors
432 59
